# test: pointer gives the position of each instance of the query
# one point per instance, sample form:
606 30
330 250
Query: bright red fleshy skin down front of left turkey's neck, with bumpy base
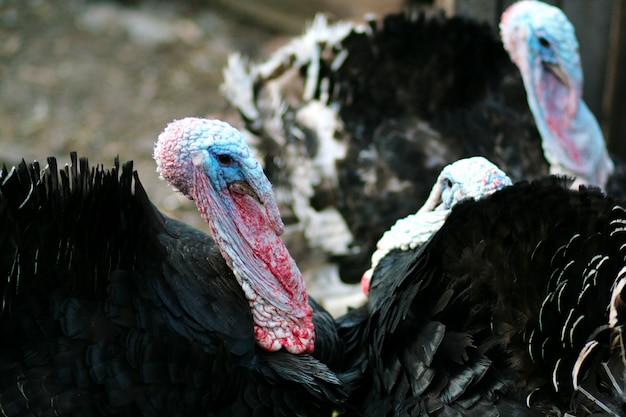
273 328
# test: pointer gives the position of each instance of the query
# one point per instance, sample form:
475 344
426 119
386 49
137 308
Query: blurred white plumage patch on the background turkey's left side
278 99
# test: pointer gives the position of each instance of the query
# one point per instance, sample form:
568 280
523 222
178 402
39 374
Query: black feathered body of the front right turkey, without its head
517 299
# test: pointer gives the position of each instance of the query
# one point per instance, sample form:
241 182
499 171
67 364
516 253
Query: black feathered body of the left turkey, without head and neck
111 308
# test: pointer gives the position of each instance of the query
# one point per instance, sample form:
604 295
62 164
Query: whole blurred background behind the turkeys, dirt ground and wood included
104 77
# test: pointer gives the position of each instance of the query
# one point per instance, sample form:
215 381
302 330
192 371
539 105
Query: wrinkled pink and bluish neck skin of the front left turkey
264 268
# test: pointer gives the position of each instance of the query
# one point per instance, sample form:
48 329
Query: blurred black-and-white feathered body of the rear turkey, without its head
354 122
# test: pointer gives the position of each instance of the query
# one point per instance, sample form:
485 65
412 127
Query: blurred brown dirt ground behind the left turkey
104 79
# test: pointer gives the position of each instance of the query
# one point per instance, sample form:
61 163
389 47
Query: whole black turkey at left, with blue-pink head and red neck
111 308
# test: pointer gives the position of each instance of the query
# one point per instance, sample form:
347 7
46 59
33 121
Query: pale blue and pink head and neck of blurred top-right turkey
542 43
